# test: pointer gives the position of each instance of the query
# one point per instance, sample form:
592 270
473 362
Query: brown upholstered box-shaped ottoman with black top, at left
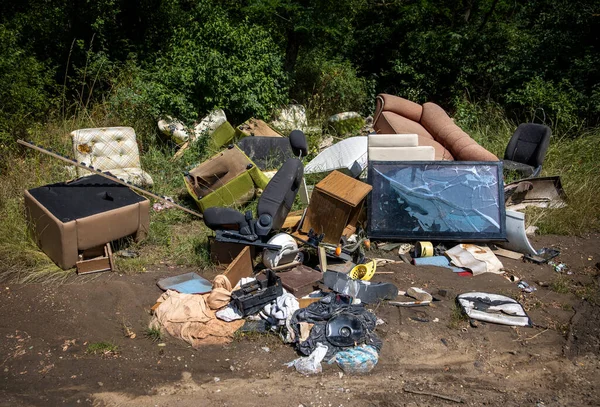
67 218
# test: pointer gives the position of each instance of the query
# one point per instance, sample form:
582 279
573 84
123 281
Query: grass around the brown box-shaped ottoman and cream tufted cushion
175 237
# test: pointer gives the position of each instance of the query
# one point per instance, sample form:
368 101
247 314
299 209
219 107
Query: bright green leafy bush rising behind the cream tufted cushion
212 62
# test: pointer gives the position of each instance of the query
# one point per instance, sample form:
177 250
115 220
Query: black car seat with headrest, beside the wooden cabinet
273 205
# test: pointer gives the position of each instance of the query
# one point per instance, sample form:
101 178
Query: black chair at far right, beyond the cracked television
527 149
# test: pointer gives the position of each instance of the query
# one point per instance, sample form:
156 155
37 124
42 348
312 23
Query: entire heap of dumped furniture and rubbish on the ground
417 184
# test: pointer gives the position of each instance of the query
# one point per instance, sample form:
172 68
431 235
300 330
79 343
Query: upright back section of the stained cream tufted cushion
106 148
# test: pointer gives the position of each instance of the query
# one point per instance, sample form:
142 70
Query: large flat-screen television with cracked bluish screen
436 200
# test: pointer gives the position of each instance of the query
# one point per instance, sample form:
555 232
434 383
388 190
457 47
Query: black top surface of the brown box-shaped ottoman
84 197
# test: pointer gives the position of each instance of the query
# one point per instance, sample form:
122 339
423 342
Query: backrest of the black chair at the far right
528 145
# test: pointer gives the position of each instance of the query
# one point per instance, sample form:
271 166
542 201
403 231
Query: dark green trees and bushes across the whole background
537 60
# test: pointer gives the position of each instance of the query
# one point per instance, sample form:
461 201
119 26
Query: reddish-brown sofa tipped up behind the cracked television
395 115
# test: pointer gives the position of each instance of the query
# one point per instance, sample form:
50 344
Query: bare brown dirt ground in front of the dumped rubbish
45 332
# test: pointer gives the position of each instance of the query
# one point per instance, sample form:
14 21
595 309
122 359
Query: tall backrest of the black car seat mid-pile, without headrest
278 197
